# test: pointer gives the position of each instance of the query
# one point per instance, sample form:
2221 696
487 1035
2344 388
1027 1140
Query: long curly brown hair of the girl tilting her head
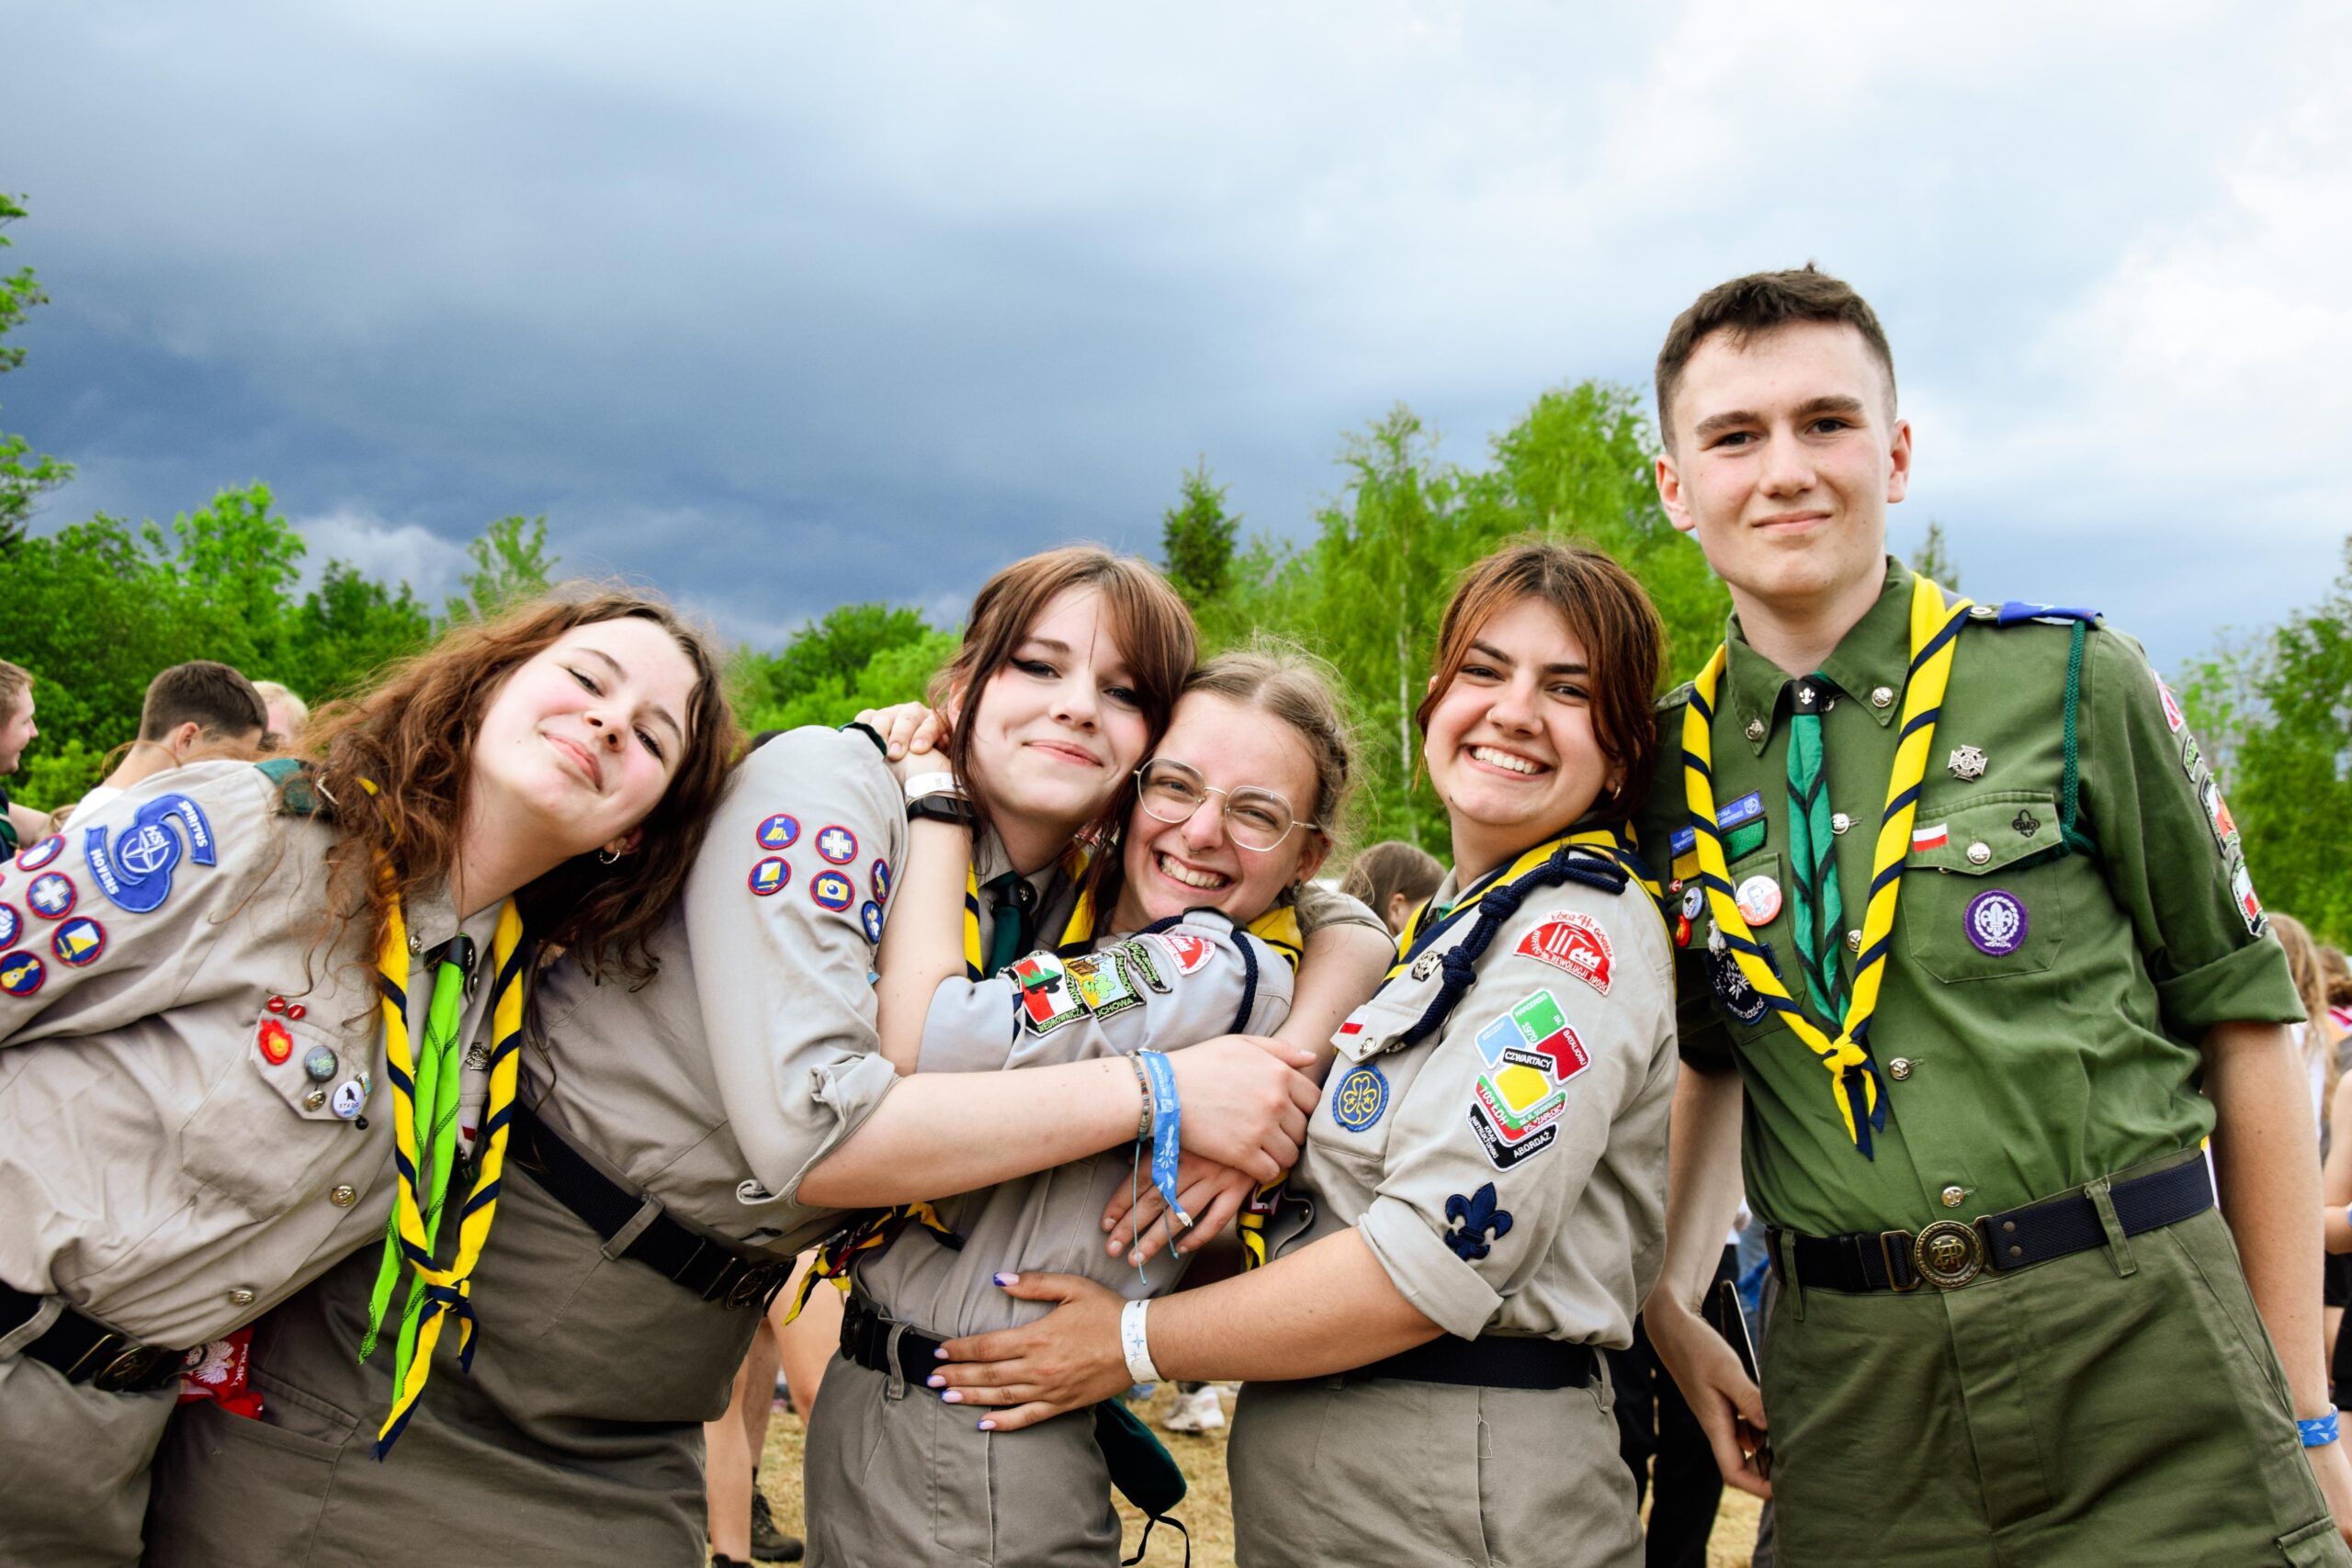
413 739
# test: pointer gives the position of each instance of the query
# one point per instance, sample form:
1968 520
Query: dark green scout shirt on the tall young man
2026 1071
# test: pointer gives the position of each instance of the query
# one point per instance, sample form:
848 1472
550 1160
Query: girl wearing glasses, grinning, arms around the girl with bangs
1229 819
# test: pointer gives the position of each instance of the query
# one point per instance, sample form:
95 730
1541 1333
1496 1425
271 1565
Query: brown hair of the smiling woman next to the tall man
1608 612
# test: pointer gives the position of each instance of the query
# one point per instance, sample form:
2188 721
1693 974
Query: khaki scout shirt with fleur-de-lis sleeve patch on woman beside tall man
1509 1172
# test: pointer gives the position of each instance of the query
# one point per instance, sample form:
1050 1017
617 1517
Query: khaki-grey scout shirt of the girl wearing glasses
1161 991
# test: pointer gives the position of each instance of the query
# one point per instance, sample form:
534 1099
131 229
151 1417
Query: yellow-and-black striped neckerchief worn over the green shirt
1935 634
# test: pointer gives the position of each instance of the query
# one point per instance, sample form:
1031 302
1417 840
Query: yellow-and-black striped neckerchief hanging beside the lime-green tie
446 1289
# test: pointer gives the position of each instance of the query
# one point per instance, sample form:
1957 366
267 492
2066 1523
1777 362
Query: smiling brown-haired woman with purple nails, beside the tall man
1485 1177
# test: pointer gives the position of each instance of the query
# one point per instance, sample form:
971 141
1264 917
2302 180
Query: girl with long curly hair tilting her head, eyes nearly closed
222 996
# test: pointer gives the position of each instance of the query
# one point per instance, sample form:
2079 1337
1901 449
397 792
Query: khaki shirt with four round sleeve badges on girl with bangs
751 1054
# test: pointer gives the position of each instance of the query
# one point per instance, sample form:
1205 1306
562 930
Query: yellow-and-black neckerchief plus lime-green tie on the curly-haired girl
425 1148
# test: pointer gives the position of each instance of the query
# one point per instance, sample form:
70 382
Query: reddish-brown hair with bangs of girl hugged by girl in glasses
1151 624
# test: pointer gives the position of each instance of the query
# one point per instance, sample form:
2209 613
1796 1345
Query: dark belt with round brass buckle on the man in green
1949 1254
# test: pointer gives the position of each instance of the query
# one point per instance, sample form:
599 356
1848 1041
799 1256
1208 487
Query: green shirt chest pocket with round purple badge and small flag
1979 899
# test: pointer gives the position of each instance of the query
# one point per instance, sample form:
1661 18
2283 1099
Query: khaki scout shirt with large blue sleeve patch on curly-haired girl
168 1162
